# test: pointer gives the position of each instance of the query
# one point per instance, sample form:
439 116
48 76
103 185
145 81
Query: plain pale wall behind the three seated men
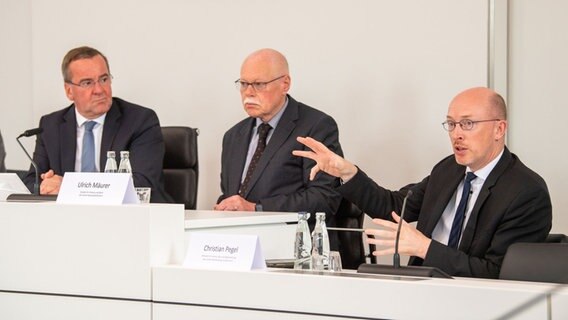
385 70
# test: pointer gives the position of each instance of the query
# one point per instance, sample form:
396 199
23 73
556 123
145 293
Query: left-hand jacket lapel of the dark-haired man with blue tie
68 138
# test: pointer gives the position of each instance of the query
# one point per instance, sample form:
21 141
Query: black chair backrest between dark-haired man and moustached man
181 165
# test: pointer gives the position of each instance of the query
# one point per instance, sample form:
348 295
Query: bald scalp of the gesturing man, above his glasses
483 98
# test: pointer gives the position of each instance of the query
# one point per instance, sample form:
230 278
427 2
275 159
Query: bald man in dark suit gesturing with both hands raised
471 207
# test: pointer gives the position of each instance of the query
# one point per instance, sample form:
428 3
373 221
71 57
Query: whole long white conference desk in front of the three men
123 262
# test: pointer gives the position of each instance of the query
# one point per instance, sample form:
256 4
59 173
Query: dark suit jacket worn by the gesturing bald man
513 206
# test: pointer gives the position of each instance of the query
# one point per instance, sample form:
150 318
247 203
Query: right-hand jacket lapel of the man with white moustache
285 127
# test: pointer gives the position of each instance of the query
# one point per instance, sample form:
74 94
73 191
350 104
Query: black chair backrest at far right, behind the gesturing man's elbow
542 262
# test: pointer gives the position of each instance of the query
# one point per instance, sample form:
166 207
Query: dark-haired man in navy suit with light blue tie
116 125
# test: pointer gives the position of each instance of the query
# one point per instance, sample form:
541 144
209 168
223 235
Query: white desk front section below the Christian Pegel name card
181 293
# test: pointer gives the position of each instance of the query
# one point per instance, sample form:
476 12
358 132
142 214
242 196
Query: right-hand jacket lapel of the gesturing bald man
471 226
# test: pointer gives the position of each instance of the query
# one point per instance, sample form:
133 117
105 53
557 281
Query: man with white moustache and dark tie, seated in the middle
279 181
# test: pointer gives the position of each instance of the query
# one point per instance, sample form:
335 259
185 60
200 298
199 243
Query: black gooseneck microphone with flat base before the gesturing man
396 269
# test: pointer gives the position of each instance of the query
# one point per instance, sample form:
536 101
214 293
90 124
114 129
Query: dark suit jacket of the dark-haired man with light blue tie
127 127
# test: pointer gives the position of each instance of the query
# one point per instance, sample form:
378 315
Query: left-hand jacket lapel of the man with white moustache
239 155
